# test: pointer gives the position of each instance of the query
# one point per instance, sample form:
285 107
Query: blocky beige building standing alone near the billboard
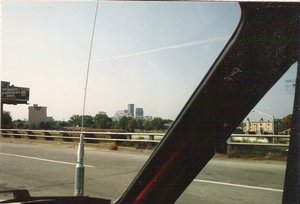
36 115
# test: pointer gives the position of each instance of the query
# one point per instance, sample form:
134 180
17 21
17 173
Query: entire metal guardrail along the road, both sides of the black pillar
119 136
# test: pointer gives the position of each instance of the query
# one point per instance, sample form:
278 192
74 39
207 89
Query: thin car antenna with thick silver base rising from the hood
79 169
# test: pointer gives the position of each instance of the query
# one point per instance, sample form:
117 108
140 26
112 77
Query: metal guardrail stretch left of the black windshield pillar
75 135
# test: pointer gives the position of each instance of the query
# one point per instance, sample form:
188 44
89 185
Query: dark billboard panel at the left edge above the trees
13 94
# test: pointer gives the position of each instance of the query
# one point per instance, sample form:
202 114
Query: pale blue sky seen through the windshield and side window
152 54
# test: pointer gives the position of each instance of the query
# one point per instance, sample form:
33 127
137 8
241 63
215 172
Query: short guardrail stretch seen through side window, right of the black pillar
285 139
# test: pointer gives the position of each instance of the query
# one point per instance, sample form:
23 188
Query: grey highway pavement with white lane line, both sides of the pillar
48 169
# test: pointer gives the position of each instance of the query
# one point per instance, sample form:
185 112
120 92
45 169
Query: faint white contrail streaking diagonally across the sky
187 44
